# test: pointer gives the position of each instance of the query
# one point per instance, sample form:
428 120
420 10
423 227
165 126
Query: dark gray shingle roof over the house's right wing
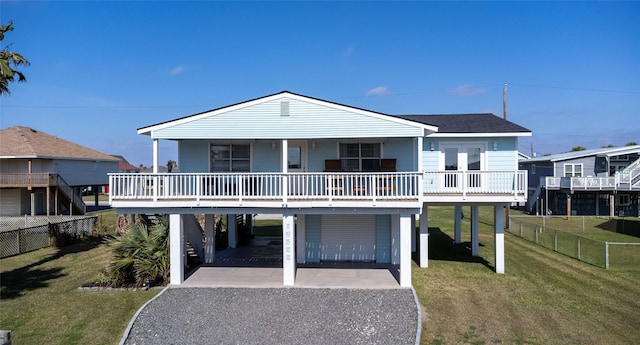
468 123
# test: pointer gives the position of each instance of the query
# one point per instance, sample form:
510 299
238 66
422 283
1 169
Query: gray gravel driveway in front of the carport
277 316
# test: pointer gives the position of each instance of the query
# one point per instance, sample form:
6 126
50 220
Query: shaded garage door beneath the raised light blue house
348 238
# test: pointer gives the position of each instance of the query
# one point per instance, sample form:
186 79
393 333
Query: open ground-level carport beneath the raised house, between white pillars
381 246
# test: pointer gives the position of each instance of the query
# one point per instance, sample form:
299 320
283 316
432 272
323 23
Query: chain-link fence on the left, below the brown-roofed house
24 234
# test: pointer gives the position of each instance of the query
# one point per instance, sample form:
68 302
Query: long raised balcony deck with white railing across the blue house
309 190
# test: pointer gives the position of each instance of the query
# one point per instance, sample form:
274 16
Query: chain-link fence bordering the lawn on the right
623 255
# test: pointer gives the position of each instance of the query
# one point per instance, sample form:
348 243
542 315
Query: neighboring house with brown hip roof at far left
41 174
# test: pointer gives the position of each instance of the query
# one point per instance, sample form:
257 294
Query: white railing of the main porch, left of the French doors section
264 186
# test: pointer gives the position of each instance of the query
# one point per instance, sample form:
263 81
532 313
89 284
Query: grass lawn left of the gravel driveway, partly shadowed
40 302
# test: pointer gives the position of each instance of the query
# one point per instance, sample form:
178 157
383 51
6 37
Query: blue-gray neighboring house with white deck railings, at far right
600 182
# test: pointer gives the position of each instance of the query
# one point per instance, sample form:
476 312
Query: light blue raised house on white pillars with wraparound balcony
348 182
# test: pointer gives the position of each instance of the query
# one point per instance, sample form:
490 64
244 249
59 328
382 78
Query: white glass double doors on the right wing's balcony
462 165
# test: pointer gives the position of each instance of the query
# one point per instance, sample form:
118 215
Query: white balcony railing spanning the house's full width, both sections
313 186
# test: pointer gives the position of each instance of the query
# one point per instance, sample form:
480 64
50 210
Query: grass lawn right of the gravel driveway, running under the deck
543 298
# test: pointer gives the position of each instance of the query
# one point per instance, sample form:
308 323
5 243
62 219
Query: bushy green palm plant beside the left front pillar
141 255
